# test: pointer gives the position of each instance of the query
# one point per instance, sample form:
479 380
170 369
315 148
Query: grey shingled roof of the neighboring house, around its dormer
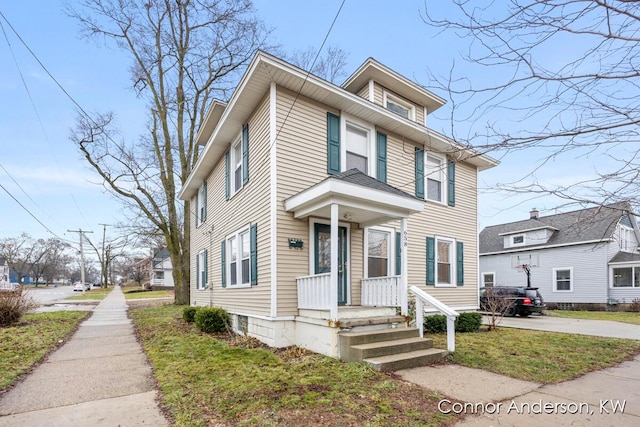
586 225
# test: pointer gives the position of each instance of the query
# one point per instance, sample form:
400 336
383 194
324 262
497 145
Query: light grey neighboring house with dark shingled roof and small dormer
585 259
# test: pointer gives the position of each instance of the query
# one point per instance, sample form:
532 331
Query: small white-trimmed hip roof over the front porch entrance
361 199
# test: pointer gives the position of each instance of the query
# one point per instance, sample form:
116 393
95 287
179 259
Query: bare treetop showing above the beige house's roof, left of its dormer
330 65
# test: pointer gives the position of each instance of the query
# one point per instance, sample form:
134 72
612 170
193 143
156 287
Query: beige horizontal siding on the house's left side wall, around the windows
248 206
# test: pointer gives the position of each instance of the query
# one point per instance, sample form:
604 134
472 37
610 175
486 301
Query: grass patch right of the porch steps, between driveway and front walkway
542 357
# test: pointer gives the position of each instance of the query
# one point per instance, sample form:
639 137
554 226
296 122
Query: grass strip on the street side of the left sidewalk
22 346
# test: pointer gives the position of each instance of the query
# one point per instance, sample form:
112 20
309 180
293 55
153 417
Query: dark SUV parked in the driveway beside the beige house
524 300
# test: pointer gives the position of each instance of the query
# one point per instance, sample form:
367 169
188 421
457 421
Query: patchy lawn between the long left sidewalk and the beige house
216 380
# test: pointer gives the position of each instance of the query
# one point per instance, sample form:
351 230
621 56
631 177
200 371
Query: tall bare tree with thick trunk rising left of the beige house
184 54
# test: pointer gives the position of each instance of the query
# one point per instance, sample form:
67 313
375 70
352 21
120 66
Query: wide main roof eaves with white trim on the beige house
265 70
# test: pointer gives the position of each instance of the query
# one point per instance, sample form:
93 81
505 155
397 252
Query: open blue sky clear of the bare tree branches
47 174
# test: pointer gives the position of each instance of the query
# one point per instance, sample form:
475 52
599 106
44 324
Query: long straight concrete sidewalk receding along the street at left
100 377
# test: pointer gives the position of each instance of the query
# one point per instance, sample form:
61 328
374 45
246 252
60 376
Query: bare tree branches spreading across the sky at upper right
558 78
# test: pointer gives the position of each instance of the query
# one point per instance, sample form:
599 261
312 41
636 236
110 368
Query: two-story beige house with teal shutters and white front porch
298 175
